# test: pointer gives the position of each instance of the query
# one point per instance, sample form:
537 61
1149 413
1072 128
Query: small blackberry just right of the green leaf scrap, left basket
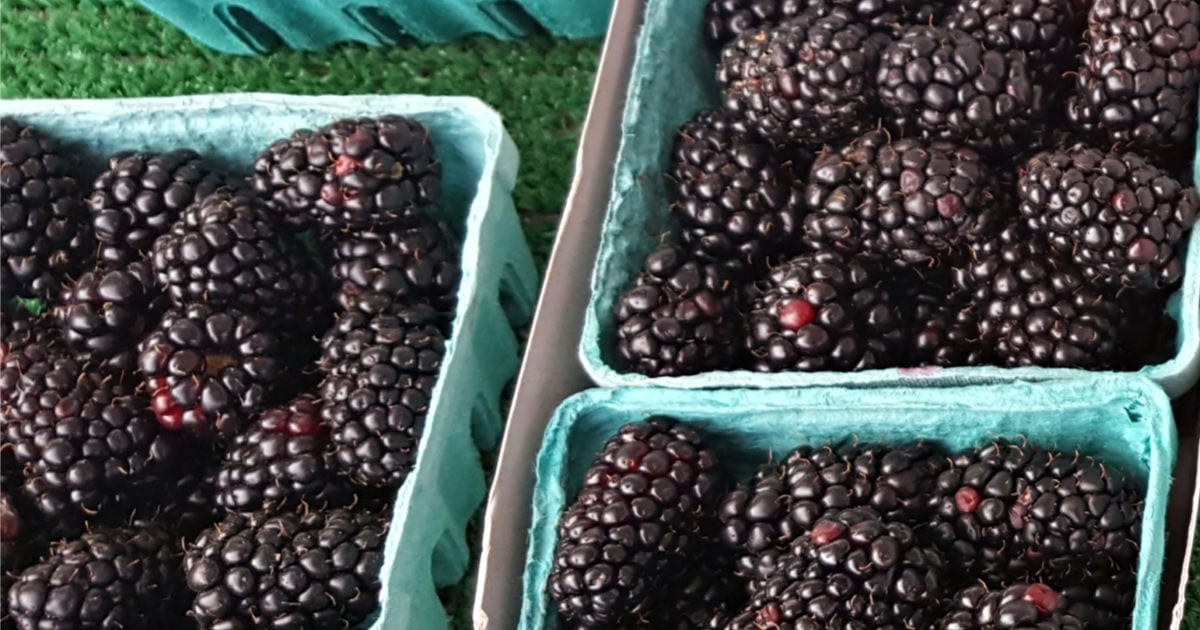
107 311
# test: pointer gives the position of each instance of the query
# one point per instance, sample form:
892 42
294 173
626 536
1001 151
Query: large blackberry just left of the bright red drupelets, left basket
94 457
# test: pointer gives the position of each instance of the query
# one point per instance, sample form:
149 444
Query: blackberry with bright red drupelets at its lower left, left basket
208 370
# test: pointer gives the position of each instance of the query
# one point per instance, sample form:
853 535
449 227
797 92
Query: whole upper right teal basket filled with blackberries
904 193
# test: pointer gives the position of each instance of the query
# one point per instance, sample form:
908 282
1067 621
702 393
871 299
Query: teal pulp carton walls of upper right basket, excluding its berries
673 77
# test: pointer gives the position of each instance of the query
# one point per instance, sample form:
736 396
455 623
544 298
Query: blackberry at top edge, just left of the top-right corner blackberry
1046 31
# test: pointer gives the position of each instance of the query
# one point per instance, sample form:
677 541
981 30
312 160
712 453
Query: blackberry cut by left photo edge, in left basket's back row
40 213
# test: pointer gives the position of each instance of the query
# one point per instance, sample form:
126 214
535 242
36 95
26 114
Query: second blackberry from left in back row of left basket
141 195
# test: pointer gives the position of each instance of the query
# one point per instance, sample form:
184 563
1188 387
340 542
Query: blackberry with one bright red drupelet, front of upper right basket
823 313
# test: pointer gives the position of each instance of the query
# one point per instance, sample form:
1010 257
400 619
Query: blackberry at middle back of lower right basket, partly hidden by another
787 501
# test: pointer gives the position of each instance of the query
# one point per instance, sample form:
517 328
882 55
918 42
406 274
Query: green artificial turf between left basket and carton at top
73 49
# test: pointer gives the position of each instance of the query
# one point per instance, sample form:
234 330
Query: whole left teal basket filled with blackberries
227 322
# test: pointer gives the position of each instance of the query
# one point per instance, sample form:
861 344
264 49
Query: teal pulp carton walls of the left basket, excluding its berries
427 545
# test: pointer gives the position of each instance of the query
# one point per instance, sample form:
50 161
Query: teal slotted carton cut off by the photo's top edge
255 27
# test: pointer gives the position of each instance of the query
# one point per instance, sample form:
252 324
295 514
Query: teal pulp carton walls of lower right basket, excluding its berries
1120 419
